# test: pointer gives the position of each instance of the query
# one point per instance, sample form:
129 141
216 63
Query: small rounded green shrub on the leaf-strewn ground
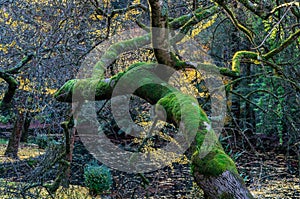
97 178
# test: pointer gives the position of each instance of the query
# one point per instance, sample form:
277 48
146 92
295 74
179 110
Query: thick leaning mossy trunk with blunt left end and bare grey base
211 170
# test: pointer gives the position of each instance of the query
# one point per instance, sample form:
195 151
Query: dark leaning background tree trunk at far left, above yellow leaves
14 140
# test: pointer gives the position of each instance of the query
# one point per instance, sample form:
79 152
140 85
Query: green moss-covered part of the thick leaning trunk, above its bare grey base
181 109
